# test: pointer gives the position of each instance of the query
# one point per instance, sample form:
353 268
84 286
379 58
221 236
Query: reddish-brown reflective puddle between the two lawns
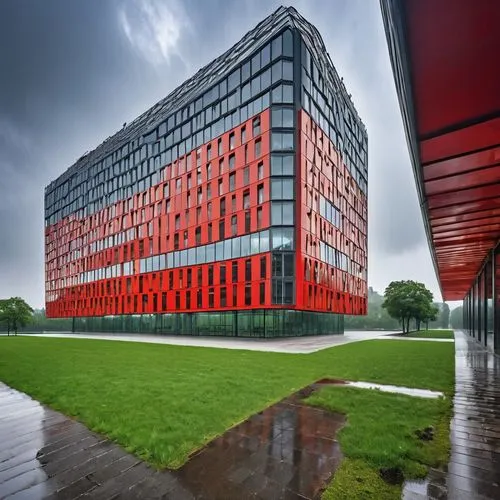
288 450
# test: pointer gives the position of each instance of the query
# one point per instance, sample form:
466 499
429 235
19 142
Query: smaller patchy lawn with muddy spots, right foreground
381 434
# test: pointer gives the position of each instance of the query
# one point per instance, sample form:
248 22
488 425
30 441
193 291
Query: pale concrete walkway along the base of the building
301 345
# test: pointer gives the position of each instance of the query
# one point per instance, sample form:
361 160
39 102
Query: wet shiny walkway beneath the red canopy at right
473 472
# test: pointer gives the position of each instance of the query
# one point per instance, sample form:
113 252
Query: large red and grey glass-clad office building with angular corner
235 206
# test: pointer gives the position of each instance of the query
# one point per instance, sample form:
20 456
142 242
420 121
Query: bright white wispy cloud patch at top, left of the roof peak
154 28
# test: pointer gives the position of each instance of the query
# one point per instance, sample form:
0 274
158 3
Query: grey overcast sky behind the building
72 72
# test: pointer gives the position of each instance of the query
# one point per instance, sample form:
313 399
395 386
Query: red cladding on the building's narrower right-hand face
322 287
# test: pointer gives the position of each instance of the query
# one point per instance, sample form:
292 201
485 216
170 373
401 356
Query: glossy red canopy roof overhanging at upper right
445 56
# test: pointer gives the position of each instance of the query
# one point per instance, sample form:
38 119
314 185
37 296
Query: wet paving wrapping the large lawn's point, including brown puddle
287 451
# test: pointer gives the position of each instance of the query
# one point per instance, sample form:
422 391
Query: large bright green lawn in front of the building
162 402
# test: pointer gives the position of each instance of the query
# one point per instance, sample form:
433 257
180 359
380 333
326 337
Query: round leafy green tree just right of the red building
406 300
